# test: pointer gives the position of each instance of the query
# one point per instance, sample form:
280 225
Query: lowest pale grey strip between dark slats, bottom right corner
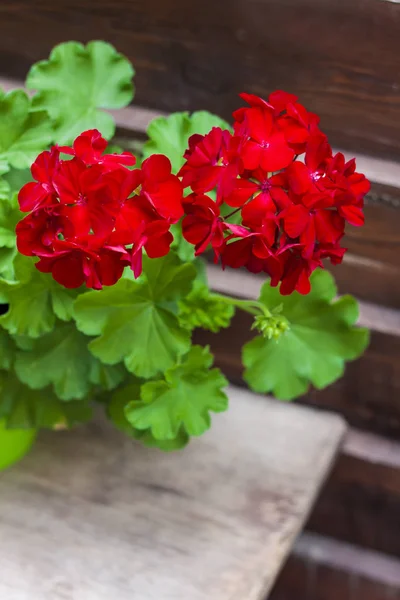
373 566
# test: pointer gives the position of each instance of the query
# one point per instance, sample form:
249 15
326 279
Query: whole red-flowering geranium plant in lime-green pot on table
102 271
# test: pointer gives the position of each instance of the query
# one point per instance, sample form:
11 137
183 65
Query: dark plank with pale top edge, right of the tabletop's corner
360 502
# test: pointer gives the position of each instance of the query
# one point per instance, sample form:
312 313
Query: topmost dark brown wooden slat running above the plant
341 57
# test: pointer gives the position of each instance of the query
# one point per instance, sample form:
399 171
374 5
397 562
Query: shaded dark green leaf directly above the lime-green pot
24 408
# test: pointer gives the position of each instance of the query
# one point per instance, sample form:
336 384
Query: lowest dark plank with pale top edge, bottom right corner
323 569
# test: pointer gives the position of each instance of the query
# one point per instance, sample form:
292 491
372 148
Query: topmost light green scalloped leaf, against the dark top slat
76 81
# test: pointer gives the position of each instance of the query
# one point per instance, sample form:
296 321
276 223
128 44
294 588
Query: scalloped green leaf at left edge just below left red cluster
35 300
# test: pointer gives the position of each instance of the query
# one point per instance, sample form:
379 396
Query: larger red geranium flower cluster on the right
293 211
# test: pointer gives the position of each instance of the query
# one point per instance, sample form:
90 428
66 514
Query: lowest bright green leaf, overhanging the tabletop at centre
182 400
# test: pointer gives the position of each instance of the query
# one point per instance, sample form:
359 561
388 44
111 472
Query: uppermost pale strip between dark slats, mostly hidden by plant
137 118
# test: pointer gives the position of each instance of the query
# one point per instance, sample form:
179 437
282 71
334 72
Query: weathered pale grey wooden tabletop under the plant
91 515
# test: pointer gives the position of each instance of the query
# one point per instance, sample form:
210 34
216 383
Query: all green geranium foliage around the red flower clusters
129 345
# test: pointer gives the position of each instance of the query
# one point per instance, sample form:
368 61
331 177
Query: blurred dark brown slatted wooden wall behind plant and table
343 59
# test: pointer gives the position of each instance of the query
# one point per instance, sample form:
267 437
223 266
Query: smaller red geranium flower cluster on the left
90 215
